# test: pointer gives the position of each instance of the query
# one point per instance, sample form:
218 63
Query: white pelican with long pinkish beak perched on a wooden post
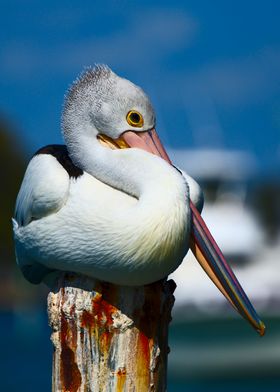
109 204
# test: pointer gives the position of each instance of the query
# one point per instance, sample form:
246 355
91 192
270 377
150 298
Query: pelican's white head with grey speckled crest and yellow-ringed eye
101 102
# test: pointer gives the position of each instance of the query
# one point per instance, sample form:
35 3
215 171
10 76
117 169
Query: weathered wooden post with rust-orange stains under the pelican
109 338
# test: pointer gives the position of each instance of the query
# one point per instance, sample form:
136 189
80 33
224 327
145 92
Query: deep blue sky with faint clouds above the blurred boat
211 68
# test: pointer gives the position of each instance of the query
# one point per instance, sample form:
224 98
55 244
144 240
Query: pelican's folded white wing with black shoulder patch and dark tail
44 190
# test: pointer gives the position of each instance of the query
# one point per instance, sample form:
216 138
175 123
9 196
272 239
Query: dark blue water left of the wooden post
26 363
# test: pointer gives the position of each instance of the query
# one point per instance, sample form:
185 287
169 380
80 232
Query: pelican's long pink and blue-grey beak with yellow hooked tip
202 243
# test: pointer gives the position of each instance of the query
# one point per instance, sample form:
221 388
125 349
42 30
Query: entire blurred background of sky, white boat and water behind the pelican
212 72
